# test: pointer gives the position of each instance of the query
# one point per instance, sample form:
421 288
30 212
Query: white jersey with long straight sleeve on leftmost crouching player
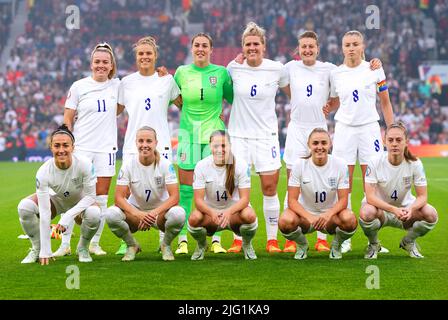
65 188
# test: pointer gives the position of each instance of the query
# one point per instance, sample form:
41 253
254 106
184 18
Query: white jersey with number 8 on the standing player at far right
357 91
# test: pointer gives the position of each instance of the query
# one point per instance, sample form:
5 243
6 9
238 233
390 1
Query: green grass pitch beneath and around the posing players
226 276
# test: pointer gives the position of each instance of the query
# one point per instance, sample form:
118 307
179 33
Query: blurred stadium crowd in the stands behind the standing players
48 57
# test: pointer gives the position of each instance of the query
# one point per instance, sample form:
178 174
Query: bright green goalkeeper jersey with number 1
202 91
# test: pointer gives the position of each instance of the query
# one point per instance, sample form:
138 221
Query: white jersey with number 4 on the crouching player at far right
393 183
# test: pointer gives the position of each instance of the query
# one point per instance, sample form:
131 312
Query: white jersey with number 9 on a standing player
310 91
